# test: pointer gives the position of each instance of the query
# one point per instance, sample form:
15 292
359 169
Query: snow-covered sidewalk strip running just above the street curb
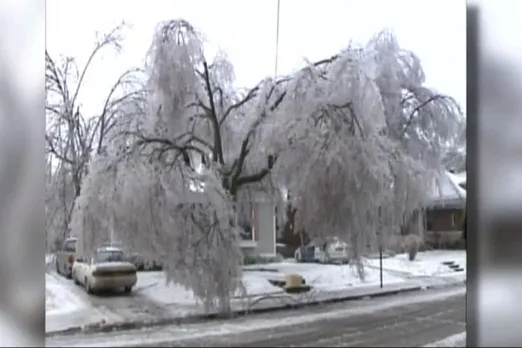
274 302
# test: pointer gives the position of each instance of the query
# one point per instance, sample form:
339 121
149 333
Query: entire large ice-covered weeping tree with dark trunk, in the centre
354 138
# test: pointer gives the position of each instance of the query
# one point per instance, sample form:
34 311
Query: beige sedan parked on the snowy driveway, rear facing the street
107 270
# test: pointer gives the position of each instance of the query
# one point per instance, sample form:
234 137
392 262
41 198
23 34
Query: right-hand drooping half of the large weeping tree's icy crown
359 138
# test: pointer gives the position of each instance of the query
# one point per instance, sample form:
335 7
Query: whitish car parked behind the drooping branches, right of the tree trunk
324 251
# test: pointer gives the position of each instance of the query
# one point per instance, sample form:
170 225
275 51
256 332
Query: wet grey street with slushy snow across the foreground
408 320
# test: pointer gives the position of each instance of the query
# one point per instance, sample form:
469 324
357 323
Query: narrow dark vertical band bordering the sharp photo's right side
472 118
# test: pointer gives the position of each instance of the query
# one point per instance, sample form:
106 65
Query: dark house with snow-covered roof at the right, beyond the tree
445 211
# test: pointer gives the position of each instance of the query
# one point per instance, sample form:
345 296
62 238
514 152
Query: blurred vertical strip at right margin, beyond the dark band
498 303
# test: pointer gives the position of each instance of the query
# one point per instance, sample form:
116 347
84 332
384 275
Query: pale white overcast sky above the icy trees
246 31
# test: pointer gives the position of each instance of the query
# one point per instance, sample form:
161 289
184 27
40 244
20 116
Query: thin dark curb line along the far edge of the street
193 319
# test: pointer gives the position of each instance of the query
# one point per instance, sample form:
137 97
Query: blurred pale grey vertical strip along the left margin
22 124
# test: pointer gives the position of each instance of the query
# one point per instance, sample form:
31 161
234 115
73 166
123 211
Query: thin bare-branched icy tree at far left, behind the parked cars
71 136
